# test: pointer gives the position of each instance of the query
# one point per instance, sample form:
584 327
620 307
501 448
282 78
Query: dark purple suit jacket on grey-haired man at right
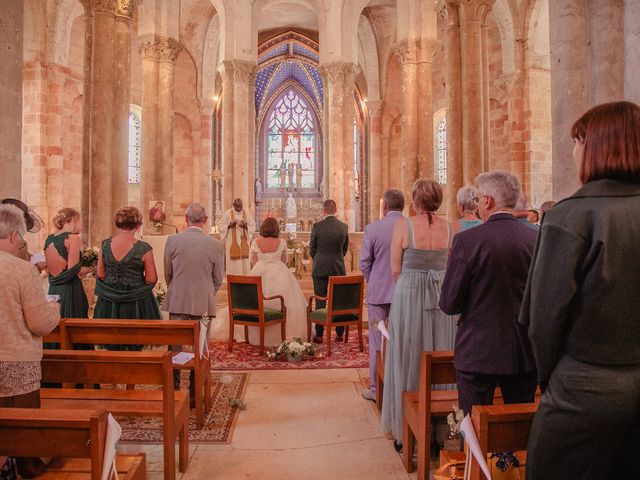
485 280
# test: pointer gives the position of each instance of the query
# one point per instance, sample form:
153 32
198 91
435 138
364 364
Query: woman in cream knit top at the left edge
25 317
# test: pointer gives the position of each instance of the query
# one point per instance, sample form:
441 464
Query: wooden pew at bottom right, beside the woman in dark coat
501 428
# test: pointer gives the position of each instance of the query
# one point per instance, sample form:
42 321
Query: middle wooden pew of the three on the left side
147 368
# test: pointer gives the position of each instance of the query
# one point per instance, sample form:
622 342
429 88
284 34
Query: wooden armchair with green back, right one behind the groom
344 308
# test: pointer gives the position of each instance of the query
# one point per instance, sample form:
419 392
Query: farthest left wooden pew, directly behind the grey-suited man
154 332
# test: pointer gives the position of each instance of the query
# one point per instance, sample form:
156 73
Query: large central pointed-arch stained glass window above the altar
291 144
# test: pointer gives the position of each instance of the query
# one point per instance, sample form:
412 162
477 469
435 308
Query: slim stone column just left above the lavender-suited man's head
375 108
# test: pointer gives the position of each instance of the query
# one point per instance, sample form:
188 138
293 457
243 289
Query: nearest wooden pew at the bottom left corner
27 432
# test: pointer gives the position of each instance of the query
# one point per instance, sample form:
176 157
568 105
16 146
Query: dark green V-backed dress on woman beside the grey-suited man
123 293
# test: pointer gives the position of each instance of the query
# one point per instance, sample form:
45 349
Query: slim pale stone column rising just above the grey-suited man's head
201 191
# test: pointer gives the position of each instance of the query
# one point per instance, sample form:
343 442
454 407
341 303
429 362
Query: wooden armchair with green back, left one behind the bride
246 308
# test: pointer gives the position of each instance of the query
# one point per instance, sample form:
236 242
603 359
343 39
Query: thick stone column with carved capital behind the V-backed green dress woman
159 57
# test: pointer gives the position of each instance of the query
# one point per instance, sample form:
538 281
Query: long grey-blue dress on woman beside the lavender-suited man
416 324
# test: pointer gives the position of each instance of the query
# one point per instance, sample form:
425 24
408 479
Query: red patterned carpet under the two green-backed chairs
246 357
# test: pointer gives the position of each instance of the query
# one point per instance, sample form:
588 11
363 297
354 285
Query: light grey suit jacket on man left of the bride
193 270
